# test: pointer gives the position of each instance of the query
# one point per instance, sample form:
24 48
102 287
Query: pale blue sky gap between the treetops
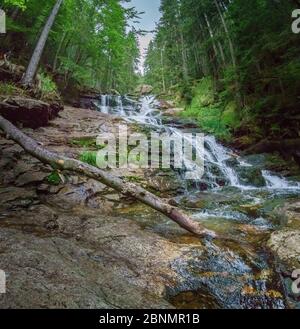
147 22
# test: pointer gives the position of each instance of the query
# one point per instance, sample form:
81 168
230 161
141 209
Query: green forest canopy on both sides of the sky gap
233 64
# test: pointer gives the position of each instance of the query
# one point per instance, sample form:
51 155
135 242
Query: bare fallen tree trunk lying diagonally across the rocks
58 161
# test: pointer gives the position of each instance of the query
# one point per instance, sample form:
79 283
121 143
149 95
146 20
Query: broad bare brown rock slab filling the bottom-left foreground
82 259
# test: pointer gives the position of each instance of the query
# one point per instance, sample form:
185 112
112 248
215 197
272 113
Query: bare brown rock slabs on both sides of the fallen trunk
61 246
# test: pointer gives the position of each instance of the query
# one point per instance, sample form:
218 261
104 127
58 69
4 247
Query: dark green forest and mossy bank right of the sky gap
234 64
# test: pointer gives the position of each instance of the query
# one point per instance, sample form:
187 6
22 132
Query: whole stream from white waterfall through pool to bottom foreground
237 274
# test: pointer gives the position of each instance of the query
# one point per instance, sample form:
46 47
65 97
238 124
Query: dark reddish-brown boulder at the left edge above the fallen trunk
29 112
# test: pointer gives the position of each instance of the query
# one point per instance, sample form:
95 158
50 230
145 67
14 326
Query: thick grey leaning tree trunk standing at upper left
37 54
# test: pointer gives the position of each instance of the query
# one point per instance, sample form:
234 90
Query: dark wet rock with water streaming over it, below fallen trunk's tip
222 279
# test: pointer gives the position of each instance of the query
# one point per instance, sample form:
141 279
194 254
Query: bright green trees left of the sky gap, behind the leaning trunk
90 44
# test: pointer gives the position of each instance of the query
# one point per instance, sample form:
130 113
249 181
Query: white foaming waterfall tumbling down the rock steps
216 156
